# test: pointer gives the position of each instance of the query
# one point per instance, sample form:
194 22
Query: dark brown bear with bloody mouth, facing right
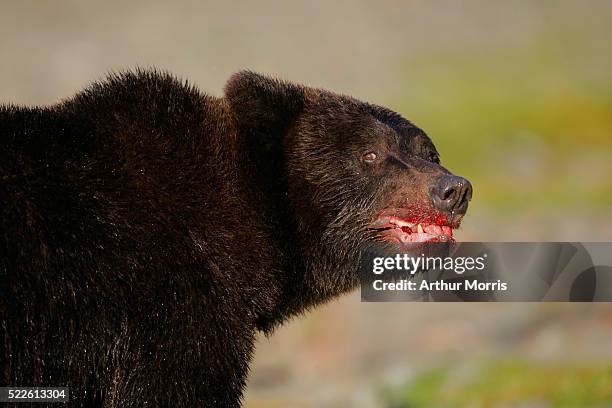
148 230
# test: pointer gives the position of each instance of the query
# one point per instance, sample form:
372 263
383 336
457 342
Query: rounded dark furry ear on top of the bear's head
262 104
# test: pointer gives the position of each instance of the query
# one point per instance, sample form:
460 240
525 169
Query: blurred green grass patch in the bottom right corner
507 383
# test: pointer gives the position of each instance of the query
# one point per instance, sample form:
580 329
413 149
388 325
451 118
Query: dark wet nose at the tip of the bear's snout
451 194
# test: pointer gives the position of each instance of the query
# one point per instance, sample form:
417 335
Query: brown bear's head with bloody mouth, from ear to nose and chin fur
341 173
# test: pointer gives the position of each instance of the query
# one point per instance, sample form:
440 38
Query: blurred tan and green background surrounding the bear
517 97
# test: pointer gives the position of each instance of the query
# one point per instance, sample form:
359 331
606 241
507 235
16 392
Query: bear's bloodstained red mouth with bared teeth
409 230
